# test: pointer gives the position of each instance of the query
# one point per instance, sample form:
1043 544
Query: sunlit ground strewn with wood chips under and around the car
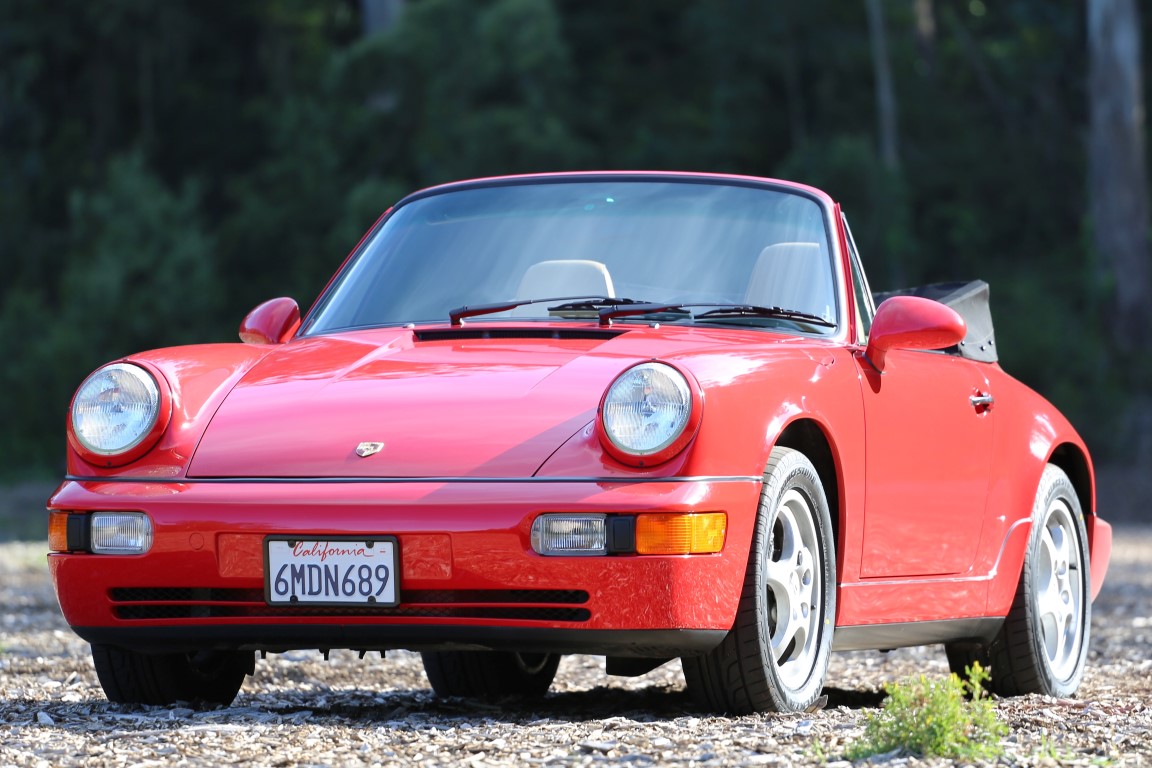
304 711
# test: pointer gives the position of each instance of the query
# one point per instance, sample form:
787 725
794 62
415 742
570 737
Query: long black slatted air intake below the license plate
139 604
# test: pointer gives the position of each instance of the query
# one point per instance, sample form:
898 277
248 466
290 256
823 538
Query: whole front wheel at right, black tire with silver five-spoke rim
769 663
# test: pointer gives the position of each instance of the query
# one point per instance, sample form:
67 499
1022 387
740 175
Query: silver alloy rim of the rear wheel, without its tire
1060 590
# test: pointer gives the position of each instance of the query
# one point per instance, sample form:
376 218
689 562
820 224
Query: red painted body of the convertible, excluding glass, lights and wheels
931 468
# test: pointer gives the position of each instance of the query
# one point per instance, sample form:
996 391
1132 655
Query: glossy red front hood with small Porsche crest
446 405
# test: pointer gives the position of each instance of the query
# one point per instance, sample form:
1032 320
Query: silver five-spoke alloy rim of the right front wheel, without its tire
793 576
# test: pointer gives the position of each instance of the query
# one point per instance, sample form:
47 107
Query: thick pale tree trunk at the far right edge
1118 179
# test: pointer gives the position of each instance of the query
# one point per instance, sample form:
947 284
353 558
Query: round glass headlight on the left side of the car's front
116 409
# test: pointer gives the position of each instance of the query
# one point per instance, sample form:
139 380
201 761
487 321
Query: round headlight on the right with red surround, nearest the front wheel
649 414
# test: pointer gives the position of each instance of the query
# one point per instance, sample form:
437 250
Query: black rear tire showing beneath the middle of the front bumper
490 674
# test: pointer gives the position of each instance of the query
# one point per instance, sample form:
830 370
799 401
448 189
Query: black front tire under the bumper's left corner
211 678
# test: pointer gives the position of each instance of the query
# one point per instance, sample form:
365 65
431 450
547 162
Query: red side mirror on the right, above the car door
913 323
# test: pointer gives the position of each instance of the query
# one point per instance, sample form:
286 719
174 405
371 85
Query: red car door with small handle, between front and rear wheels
928 463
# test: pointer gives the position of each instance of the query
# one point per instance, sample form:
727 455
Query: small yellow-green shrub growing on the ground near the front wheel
935 718
